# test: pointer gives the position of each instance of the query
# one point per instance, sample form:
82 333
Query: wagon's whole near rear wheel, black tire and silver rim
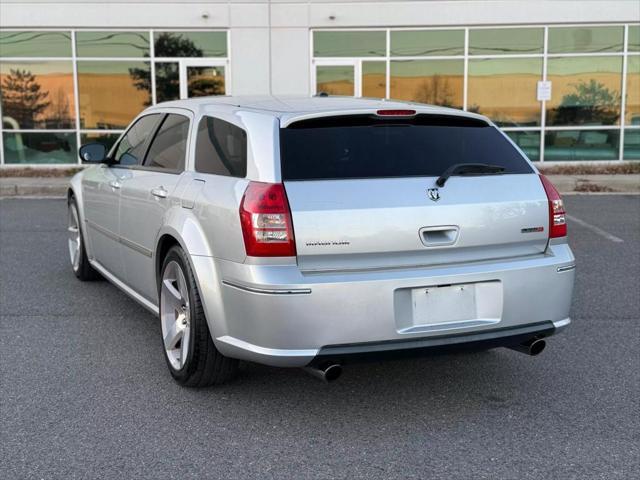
183 324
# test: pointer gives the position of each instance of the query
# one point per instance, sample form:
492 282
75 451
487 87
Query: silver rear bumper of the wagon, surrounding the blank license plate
276 315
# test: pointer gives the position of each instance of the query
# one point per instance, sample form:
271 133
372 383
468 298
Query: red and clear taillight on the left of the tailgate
266 221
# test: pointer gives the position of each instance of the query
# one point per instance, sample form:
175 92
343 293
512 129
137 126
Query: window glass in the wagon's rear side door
169 147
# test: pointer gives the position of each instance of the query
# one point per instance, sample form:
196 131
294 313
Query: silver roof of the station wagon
291 108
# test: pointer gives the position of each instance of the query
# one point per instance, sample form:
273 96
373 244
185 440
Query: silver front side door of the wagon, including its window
101 191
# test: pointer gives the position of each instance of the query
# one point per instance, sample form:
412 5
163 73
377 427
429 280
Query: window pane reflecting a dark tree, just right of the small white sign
585 90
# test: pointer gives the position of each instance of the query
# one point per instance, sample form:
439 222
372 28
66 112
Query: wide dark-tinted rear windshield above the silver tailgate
367 146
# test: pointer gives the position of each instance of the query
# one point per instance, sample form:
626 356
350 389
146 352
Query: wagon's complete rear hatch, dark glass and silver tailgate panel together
363 195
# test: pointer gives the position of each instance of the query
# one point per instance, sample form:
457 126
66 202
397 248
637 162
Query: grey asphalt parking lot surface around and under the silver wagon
85 392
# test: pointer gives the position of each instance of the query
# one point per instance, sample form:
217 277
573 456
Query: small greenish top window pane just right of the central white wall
349 44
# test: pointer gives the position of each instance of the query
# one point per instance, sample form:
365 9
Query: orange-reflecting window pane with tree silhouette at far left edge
37 95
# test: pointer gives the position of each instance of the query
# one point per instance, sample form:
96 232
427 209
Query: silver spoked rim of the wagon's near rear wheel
175 315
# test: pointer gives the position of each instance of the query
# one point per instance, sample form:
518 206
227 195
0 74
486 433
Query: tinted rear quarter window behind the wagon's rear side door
221 148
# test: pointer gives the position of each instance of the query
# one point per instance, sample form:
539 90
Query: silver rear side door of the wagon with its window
146 196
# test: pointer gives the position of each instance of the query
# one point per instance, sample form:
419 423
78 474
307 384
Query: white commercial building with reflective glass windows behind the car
562 78
